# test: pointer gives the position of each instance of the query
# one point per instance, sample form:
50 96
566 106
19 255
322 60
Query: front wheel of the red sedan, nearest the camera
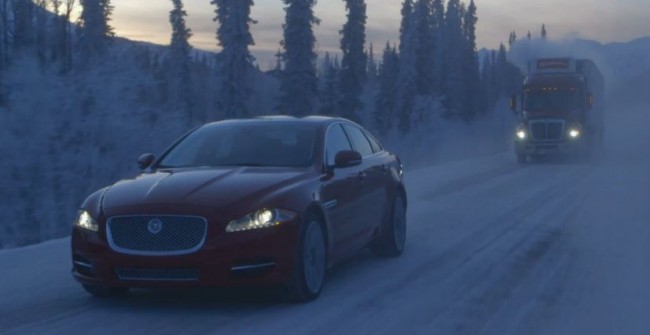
311 262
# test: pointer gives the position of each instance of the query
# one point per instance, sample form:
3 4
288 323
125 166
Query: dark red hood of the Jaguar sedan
213 187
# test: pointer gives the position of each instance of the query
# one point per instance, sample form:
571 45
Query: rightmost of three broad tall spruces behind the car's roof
354 62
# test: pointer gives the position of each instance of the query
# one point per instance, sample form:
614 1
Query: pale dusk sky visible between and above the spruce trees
600 20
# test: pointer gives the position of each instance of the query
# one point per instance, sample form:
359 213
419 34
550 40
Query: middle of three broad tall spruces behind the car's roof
298 81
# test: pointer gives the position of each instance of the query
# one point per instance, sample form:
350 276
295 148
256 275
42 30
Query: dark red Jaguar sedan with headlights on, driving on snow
264 201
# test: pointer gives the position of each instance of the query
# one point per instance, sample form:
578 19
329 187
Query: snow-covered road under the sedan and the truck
493 248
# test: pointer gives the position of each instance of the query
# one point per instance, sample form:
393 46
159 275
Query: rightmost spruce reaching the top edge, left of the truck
470 66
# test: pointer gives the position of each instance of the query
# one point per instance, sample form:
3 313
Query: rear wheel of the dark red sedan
392 238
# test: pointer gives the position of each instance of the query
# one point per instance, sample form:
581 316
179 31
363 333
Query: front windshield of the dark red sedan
244 144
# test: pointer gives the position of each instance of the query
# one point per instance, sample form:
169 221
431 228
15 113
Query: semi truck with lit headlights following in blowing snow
561 109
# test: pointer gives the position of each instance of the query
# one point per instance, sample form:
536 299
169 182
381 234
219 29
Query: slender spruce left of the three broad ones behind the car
180 60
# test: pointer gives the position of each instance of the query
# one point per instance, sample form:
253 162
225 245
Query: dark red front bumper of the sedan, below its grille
257 257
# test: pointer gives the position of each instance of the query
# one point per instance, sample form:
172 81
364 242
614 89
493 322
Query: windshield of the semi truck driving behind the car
551 98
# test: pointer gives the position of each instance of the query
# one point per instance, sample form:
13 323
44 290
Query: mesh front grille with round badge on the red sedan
156 235
